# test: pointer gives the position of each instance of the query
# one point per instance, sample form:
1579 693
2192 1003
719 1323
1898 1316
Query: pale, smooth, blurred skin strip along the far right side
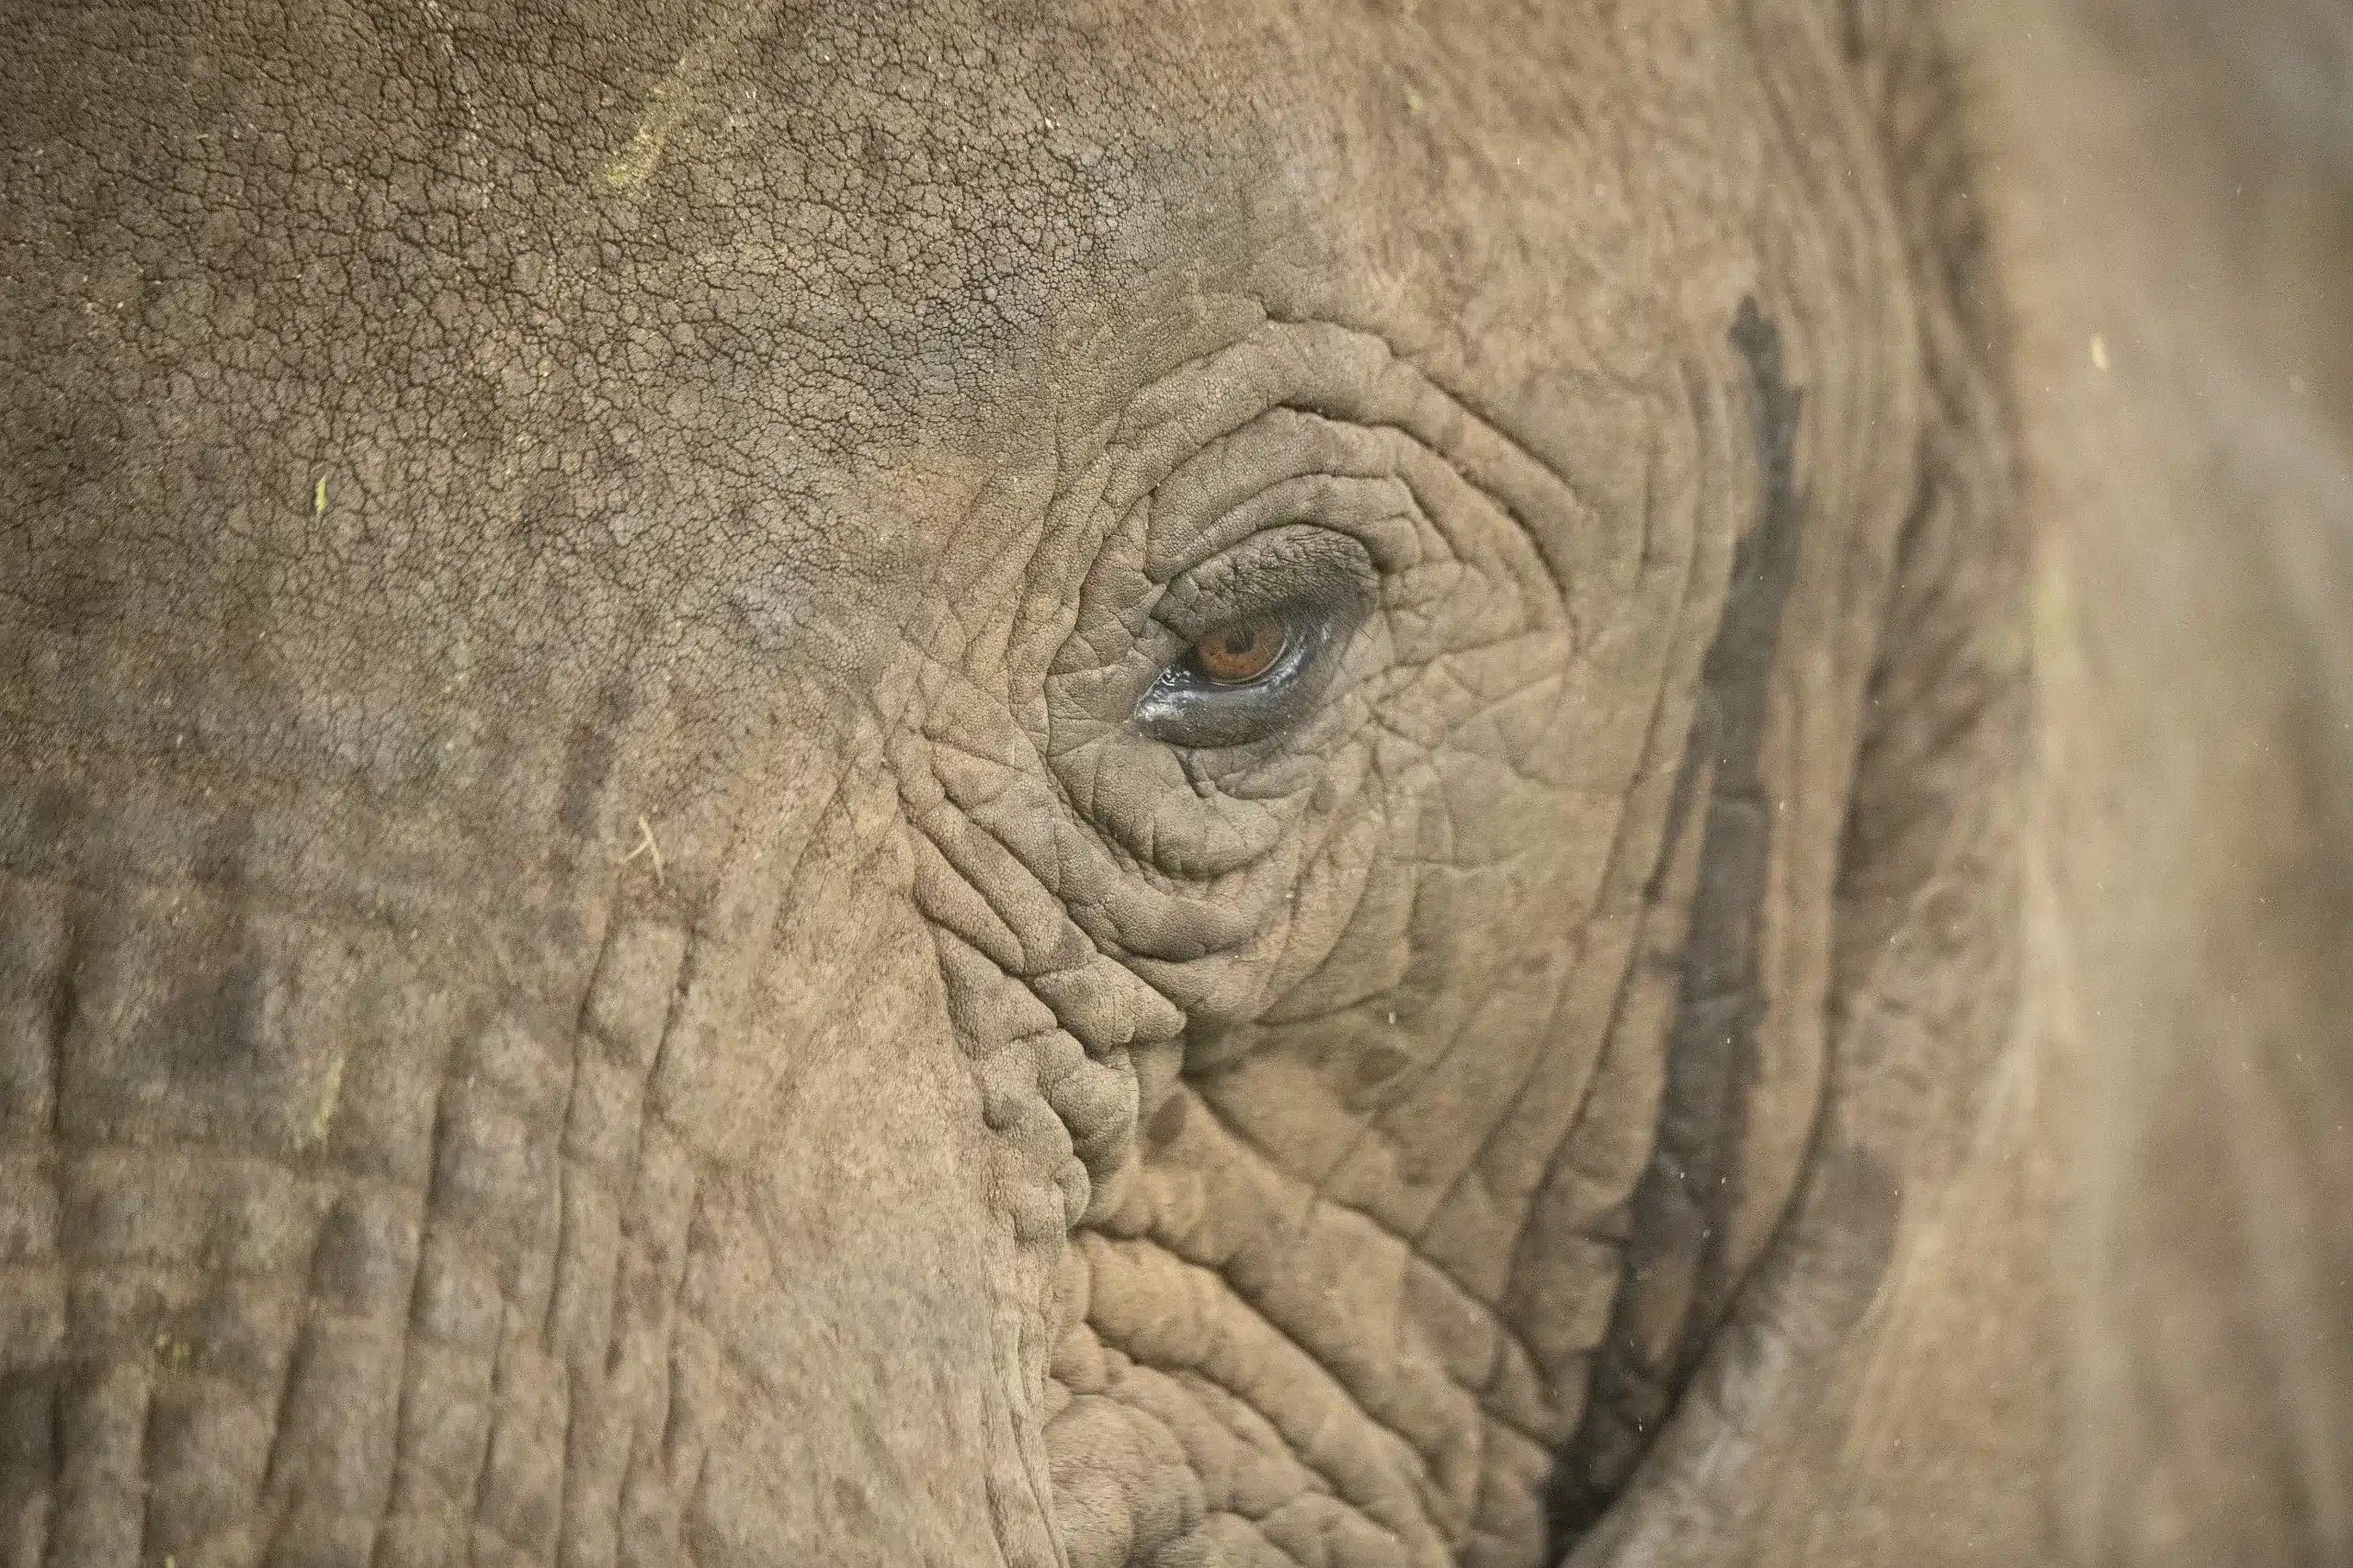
2173 204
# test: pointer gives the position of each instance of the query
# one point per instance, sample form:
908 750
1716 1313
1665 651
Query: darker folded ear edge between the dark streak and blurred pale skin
1860 757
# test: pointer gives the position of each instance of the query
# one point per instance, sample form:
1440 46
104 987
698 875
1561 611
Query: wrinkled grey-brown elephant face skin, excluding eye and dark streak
596 966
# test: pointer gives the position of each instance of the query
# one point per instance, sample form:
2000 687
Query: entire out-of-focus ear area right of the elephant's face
2067 1280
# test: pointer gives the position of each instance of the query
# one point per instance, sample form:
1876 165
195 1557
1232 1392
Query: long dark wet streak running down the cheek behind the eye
1677 1282
